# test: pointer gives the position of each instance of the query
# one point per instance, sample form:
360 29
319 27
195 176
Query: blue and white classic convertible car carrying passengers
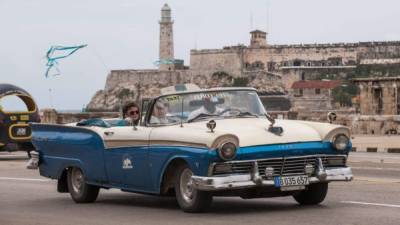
196 145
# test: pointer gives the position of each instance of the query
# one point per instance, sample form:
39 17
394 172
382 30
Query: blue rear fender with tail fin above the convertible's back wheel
61 147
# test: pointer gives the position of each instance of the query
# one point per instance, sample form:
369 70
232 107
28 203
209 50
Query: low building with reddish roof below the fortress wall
313 94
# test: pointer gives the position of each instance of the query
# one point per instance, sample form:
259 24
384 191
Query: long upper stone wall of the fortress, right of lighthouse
349 53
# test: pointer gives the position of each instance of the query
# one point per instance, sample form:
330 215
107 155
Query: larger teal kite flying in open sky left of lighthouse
58 52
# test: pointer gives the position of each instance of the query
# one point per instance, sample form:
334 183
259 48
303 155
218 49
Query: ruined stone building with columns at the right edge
379 95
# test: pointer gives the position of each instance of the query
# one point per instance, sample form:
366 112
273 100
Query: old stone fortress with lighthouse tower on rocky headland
271 69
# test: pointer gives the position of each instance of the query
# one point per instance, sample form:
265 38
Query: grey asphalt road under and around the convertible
372 198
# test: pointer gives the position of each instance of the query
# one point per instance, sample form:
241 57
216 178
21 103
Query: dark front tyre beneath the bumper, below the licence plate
314 194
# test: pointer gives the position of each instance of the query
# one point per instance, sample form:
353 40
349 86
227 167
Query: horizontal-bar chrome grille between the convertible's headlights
282 166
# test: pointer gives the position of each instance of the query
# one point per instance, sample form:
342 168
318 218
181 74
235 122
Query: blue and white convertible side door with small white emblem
126 156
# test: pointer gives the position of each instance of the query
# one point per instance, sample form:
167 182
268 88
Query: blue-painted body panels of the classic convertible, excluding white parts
66 147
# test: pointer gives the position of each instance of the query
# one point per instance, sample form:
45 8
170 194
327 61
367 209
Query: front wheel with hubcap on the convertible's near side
189 198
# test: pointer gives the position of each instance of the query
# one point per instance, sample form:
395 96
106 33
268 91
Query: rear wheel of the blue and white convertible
80 191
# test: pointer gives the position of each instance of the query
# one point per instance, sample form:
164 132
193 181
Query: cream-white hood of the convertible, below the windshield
248 131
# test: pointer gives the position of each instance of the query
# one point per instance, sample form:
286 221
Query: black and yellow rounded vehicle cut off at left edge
15 132
